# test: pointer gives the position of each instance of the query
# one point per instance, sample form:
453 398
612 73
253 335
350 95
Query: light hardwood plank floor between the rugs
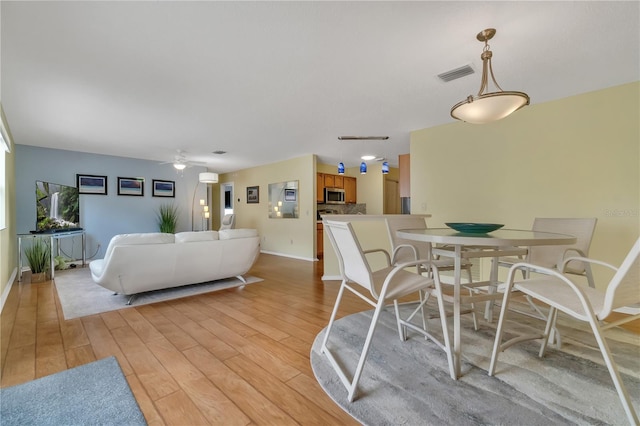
237 356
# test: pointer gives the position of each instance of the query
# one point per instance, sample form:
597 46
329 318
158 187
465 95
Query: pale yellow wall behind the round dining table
575 157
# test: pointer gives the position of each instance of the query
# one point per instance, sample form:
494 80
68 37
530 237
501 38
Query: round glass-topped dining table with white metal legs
464 245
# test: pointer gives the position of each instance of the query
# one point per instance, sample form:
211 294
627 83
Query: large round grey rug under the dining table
408 383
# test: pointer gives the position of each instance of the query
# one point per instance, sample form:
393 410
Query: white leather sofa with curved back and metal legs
135 263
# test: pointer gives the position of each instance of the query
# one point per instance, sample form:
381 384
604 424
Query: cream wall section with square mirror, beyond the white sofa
289 237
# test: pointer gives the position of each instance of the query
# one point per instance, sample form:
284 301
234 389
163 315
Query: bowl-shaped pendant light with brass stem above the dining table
488 106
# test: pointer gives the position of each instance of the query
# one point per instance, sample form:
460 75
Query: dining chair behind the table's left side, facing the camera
404 250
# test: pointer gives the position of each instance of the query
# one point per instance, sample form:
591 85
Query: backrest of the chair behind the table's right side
551 256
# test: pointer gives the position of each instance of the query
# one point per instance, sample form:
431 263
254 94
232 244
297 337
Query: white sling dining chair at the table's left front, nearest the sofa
377 288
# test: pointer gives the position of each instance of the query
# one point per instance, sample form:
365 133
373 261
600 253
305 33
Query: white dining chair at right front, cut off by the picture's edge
583 303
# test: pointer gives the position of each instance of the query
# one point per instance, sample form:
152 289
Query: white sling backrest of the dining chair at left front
353 264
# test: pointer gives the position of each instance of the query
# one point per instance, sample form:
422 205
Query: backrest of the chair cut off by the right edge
624 287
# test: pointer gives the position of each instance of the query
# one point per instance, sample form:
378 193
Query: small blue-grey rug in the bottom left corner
92 394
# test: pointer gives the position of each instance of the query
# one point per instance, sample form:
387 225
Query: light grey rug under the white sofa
80 296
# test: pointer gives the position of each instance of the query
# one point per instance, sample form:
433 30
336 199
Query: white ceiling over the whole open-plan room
267 81
